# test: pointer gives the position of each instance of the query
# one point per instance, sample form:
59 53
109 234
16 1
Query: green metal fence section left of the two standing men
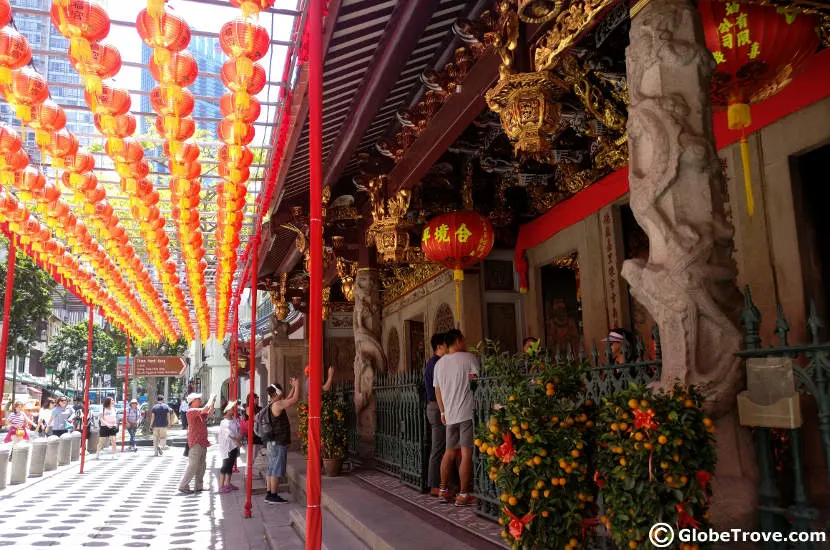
401 445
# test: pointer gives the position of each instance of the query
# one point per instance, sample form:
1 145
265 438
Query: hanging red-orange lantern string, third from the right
112 118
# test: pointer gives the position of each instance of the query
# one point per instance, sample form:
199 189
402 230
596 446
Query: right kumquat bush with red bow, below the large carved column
655 460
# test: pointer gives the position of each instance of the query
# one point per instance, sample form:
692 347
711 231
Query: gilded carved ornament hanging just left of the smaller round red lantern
389 231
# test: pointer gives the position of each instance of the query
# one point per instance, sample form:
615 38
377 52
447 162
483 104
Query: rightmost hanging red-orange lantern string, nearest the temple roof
245 42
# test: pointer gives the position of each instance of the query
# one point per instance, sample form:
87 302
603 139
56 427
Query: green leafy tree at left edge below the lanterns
31 303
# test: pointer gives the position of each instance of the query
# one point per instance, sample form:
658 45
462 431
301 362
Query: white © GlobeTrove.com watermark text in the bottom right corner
662 535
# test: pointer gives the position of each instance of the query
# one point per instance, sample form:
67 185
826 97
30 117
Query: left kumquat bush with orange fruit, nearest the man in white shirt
538 445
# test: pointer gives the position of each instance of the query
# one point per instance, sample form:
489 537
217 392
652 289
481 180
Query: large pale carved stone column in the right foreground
688 282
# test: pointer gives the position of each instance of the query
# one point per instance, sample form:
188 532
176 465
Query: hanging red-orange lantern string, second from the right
175 69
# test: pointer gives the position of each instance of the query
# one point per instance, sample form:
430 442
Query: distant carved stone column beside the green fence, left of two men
369 357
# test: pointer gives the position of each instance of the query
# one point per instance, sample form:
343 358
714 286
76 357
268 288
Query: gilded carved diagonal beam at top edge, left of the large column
579 17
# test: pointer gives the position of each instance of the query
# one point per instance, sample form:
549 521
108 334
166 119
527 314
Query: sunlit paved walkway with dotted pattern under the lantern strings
131 501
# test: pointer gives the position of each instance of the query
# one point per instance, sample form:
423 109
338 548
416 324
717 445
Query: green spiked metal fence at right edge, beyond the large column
784 504
